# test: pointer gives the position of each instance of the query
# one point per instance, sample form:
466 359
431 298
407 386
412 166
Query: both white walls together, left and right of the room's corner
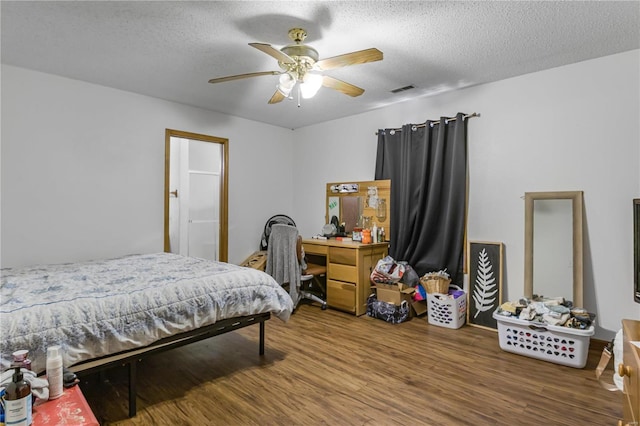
83 167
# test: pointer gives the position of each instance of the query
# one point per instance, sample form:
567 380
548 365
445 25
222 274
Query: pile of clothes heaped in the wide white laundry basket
553 311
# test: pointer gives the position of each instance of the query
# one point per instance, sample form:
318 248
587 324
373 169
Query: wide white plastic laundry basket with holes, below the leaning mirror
560 345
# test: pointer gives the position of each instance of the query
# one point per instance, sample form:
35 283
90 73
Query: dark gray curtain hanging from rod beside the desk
427 166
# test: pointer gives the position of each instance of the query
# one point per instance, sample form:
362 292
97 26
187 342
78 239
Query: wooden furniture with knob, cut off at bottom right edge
630 372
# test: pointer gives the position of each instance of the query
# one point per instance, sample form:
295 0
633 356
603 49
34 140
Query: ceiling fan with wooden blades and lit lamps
300 64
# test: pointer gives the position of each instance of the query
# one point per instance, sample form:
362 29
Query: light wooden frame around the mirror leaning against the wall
576 198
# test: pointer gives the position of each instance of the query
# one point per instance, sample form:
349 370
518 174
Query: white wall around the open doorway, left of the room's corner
83 170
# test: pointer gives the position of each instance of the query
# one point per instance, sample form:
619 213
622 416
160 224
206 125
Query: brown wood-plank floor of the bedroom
331 368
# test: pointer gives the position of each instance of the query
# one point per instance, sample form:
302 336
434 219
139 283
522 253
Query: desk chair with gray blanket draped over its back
286 264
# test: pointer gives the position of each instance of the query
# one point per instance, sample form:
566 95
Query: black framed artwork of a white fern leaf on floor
485 283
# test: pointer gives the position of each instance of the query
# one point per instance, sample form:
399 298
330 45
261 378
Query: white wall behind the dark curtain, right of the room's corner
570 128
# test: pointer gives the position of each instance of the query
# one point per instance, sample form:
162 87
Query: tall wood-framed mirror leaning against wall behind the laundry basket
553 245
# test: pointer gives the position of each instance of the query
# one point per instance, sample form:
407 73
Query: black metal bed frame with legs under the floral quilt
132 357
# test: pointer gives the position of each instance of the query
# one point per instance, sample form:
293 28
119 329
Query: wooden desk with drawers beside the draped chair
349 266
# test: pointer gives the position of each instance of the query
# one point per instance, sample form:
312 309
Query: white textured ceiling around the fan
170 50
